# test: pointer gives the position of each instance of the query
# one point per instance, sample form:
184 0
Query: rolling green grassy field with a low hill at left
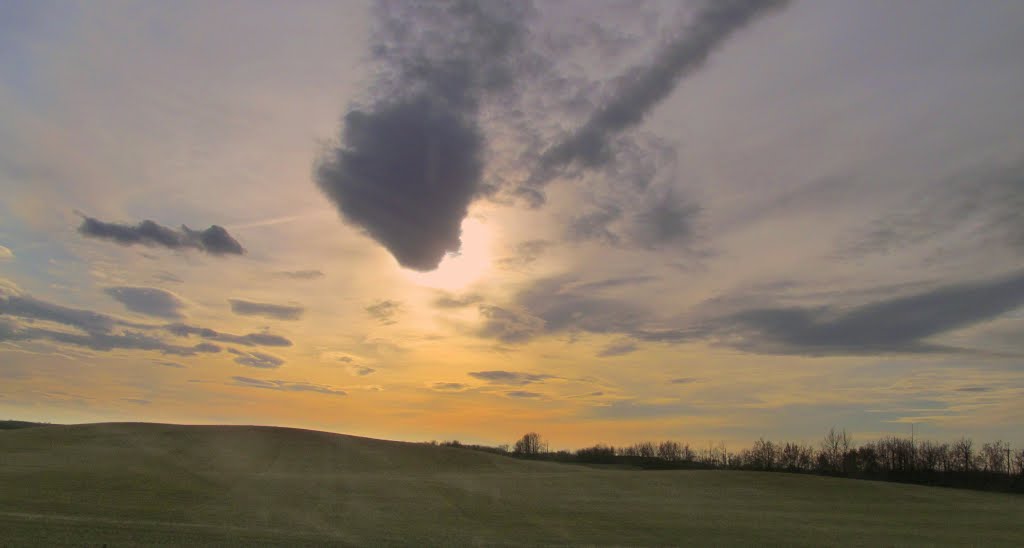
154 484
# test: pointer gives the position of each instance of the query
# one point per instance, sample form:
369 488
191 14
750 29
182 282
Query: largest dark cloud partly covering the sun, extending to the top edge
409 165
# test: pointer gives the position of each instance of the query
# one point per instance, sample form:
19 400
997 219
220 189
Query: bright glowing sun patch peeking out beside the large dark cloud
458 271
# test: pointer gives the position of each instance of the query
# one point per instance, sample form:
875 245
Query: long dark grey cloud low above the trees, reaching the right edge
898 325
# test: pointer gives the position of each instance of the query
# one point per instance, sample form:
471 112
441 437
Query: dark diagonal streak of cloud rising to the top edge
645 88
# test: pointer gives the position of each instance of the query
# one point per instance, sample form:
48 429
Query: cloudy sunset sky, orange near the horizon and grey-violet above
602 221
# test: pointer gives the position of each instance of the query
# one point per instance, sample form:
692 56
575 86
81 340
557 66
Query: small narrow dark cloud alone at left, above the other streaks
215 240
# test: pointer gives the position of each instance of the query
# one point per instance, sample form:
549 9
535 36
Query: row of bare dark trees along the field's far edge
963 463
